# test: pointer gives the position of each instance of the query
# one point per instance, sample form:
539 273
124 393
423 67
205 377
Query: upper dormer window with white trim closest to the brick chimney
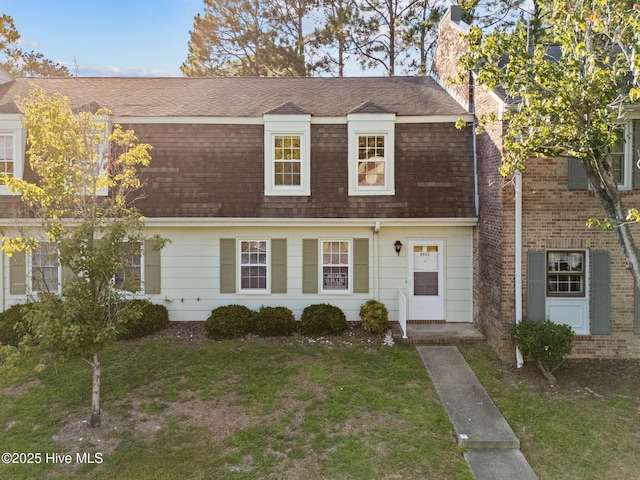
371 159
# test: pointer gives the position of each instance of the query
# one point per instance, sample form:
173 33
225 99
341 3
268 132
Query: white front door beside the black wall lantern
425 293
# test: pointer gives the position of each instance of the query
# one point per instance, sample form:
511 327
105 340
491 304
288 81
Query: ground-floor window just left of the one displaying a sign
254 266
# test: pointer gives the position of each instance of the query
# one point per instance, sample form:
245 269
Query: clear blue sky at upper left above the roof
129 38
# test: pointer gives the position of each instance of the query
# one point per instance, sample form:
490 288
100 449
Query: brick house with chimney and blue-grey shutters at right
535 258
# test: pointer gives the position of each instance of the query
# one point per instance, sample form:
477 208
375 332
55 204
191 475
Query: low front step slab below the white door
437 334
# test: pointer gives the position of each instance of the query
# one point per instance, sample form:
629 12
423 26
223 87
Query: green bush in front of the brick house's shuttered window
545 342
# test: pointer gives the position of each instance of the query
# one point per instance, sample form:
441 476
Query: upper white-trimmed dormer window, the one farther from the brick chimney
287 155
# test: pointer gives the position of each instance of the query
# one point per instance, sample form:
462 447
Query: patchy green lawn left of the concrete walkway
348 409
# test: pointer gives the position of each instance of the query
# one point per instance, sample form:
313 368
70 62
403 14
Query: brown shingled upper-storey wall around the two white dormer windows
218 171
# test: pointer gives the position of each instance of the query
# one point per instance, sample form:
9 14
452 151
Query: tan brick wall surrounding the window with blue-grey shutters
555 217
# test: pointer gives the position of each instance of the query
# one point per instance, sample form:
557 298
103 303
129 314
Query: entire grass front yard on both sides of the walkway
177 406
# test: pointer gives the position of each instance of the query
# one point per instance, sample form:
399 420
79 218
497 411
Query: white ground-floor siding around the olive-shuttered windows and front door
190 269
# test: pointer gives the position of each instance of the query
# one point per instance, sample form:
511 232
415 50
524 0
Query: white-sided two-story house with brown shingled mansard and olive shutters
280 191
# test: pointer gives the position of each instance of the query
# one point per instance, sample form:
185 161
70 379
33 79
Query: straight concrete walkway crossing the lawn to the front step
492 449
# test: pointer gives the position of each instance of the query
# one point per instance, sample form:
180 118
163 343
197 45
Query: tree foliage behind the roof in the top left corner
20 63
